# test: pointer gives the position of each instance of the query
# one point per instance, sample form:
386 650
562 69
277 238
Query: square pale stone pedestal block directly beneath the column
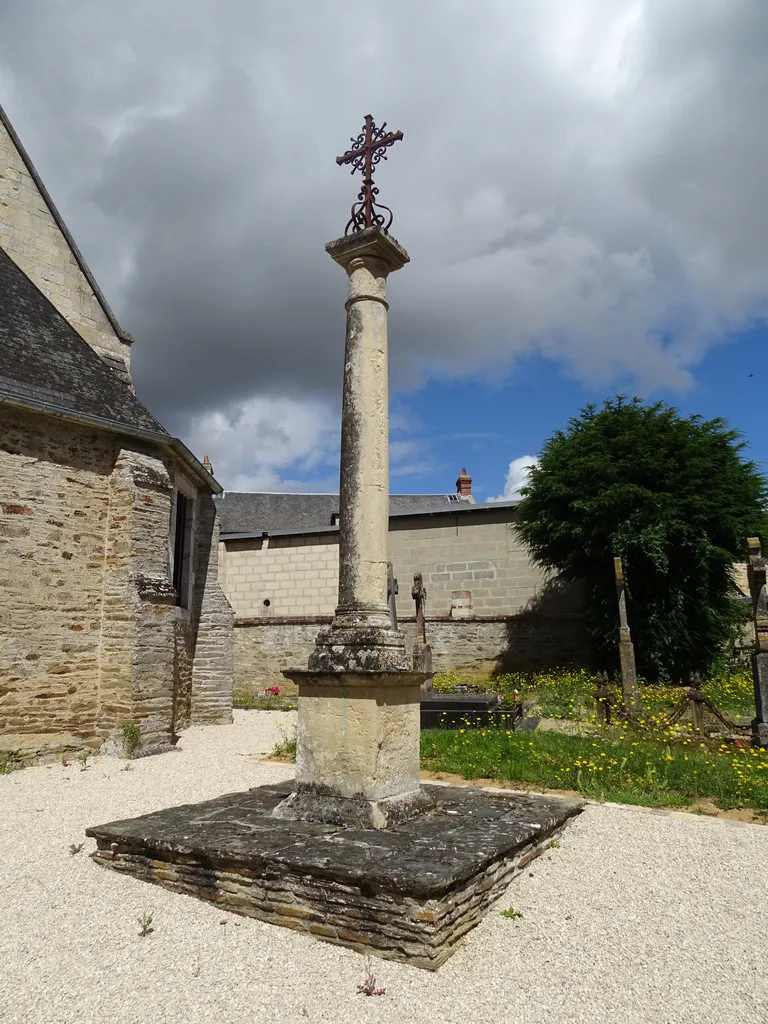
357 749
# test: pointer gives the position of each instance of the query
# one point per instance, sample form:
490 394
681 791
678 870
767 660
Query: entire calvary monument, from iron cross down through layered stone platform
355 851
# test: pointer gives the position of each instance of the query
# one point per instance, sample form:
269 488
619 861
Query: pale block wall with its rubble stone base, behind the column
520 620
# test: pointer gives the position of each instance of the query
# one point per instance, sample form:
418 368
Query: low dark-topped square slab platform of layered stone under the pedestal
409 893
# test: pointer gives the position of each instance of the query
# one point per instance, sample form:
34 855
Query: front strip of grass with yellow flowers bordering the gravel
624 770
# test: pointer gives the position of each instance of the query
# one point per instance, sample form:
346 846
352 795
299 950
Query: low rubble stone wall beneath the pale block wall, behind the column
478 648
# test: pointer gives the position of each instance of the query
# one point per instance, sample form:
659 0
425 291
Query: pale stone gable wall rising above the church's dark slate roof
31 237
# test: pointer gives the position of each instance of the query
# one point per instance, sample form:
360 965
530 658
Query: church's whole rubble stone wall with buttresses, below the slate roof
91 638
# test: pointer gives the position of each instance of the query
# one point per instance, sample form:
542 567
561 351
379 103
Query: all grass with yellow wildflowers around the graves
652 763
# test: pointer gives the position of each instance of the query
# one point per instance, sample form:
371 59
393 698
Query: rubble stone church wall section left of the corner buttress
55 496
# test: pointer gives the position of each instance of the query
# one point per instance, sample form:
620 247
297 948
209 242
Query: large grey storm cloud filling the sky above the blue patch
583 180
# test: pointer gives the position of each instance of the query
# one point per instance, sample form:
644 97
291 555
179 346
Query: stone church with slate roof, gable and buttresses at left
111 610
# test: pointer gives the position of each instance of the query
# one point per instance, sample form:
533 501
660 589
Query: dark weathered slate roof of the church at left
45 361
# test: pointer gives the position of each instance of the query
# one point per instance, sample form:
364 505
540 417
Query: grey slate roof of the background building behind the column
249 515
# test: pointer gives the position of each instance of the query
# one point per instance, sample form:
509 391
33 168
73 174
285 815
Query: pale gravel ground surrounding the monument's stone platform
639 917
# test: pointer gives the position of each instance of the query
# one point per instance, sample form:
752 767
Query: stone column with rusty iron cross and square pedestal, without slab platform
359 720
